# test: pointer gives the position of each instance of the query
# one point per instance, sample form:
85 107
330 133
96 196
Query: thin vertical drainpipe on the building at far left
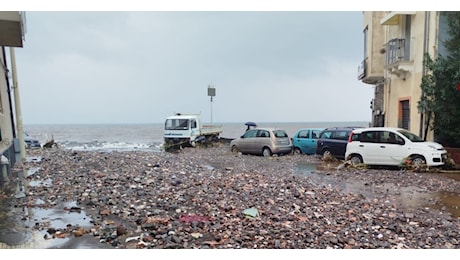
17 106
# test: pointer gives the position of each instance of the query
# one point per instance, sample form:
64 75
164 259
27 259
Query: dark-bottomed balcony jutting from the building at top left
12 28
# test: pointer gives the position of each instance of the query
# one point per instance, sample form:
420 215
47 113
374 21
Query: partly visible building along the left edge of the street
11 36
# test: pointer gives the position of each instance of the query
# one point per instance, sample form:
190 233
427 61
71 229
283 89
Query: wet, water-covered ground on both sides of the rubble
16 222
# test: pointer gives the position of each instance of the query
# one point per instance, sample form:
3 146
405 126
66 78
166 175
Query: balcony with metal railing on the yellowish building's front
397 58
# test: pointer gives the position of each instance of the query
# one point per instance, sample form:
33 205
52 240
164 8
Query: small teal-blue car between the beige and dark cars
304 140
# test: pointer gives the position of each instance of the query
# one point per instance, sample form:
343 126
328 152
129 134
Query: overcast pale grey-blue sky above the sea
111 66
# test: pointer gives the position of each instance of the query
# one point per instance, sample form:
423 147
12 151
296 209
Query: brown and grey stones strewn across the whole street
201 197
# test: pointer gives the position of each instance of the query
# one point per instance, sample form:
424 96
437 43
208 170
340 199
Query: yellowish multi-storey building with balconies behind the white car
394 46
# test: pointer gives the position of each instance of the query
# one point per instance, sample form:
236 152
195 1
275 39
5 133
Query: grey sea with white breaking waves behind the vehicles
142 137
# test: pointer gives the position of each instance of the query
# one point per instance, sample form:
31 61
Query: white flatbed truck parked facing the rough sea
188 130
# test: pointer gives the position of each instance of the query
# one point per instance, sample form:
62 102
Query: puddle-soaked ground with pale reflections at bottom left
27 227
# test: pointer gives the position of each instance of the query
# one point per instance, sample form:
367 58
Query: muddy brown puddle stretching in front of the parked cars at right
407 196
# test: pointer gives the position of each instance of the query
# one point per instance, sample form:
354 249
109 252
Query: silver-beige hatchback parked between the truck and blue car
262 141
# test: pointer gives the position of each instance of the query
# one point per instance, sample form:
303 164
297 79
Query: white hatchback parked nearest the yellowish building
390 146
